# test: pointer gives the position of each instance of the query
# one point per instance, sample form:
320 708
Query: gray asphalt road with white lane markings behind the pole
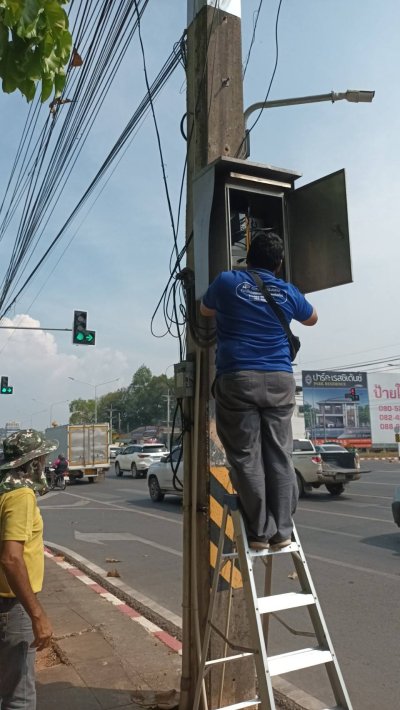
351 543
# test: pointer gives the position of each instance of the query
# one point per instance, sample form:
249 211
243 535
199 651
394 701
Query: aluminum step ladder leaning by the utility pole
259 610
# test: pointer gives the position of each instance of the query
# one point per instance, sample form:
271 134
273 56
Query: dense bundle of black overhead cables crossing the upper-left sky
46 157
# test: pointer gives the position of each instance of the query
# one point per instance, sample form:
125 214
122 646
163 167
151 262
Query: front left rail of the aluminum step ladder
265 690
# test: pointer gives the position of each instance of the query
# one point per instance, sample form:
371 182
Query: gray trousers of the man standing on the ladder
253 416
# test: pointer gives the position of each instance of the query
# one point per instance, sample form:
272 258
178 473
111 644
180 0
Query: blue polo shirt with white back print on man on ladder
249 334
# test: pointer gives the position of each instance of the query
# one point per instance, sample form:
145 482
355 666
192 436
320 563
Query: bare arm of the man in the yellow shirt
13 564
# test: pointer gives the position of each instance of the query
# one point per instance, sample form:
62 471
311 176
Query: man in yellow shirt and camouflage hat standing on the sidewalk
24 626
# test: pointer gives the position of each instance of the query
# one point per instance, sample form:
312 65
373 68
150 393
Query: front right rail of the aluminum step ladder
320 628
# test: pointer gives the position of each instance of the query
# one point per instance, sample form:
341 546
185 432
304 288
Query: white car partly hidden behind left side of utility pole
166 476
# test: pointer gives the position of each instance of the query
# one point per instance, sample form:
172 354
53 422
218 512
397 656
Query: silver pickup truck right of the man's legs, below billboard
329 465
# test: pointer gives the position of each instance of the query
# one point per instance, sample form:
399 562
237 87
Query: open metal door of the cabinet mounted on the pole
318 232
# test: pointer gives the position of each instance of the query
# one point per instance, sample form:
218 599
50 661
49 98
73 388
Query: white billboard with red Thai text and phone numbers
384 401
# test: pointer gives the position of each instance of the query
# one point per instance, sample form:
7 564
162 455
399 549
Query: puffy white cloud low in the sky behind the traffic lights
38 369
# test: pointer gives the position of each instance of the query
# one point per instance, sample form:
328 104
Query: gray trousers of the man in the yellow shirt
17 658
